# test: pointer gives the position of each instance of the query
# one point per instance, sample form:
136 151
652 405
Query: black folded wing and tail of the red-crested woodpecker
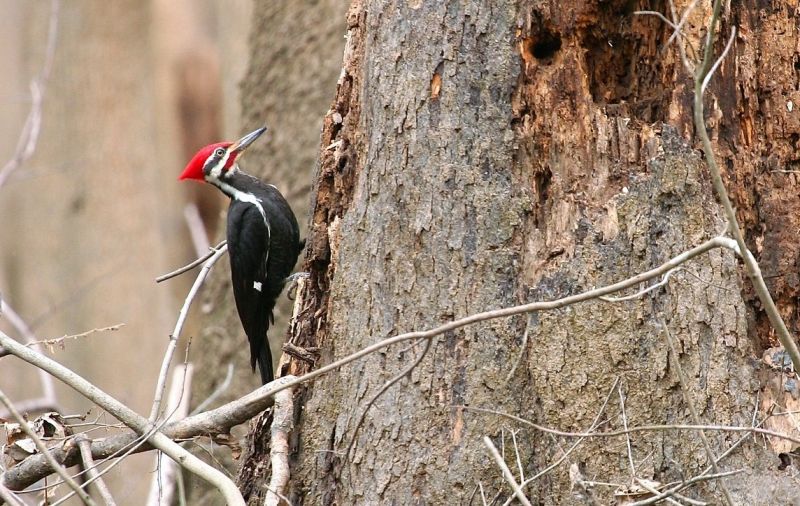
248 245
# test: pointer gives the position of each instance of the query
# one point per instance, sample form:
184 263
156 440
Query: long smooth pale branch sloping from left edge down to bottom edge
130 418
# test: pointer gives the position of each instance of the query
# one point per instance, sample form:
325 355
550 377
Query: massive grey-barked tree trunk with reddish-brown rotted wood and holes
485 154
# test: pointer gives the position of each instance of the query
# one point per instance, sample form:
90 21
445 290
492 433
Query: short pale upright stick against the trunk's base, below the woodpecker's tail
283 416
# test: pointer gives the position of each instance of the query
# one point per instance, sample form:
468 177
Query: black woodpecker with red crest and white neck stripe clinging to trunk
263 240
